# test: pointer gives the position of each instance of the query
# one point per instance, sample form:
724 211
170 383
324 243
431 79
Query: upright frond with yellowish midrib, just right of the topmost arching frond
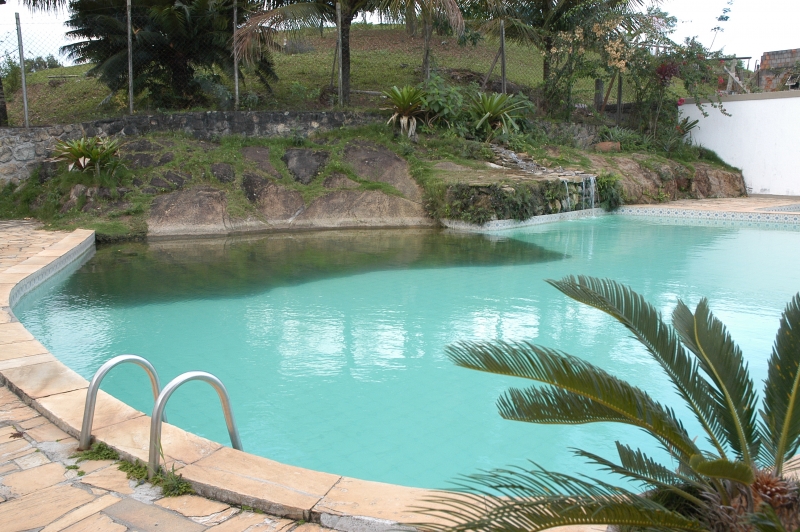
721 359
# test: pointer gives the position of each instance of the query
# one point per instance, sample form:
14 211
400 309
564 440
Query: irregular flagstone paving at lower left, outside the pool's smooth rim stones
43 488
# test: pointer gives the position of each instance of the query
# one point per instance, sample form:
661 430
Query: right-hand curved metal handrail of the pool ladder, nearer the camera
161 403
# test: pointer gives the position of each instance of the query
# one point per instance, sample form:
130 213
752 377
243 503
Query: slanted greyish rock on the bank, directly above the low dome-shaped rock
376 163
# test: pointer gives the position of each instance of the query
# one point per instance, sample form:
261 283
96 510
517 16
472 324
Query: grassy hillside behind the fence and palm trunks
382 56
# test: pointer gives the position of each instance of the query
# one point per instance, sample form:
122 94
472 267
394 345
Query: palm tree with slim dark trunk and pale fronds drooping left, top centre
292 15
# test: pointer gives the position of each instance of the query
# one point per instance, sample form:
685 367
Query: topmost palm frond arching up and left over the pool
647 325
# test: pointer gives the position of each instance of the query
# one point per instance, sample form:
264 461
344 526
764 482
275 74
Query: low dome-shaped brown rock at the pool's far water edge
353 208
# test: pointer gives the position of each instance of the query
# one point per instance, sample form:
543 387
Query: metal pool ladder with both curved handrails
161 398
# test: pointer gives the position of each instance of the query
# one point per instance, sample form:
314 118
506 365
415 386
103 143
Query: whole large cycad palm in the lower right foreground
734 481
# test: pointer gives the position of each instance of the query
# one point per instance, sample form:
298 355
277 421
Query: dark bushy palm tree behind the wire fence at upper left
172 41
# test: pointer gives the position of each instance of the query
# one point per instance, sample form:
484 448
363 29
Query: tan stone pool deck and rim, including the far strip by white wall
41 409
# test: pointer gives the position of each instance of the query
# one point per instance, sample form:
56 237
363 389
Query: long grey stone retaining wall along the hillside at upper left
23 150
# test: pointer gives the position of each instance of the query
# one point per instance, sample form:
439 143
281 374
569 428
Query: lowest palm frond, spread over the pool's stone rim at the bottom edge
521 500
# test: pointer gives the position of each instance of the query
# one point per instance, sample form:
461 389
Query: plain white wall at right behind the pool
762 137
